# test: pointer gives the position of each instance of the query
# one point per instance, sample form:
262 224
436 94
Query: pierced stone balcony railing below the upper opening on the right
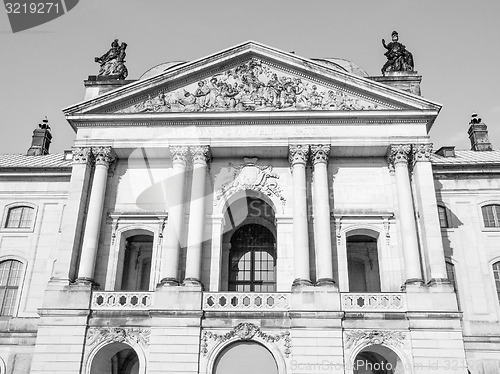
374 302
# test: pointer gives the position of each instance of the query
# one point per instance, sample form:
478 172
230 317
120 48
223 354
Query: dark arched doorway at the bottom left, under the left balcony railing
115 358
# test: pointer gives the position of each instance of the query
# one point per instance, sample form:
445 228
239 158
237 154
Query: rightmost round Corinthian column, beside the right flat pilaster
398 157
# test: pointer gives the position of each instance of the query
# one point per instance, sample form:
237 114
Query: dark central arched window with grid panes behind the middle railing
252 260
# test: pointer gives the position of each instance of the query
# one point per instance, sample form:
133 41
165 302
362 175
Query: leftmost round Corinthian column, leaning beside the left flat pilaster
103 156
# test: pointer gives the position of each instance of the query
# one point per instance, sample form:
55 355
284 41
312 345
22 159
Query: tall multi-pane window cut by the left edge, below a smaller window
10 278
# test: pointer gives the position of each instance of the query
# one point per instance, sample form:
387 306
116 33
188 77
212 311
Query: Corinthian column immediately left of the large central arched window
201 158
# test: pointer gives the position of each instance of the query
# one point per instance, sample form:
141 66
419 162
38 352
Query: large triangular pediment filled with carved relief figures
251 78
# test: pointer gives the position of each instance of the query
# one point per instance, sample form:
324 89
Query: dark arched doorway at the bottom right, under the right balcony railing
378 359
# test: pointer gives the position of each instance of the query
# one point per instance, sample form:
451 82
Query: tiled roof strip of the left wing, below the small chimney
50 161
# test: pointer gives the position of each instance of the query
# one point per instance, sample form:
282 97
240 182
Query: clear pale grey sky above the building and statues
455 44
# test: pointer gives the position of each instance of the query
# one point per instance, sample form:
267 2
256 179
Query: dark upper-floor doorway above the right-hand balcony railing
362 263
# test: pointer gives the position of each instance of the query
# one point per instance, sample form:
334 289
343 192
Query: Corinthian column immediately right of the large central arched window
298 155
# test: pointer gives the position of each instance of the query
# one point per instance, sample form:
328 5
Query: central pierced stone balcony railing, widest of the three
240 301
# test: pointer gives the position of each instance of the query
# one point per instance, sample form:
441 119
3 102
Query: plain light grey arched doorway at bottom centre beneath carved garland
245 358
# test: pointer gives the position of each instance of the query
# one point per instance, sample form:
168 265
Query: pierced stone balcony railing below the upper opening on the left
119 300
